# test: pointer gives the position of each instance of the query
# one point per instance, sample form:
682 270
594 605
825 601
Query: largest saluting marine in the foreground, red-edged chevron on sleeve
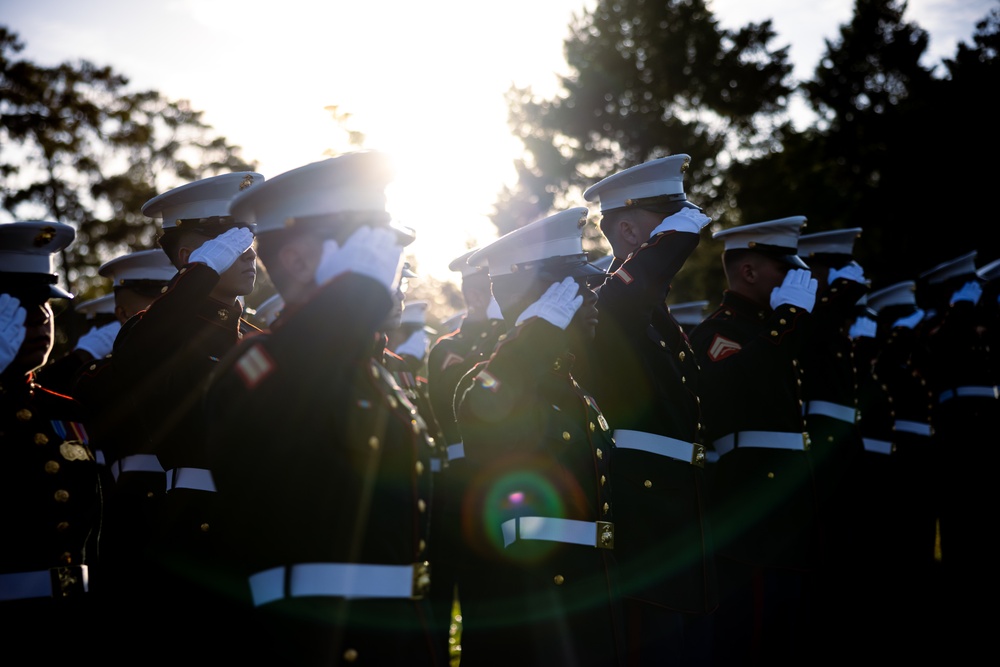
321 461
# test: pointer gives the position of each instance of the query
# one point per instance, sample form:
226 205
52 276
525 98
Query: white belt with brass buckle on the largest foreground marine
344 580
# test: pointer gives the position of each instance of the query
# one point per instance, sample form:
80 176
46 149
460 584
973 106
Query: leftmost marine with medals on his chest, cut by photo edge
49 485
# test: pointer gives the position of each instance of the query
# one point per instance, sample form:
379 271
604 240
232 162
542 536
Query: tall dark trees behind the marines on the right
894 147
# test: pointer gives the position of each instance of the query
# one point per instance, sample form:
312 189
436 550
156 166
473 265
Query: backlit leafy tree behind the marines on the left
78 146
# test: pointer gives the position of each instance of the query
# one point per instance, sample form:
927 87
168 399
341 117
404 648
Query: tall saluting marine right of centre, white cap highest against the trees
645 376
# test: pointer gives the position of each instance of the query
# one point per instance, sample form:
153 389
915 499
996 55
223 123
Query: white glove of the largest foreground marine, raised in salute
375 253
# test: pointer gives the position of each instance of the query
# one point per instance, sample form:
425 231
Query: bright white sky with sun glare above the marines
423 81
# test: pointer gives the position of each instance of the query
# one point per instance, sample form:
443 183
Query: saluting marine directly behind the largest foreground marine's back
161 512
